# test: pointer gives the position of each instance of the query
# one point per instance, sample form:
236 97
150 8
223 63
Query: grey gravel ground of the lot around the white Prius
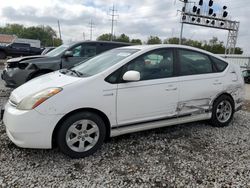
190 155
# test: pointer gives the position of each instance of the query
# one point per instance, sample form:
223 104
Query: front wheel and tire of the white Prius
77 141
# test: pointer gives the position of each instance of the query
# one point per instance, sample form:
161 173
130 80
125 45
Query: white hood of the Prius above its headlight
54 79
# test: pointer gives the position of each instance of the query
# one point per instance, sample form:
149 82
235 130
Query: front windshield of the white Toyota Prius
103 61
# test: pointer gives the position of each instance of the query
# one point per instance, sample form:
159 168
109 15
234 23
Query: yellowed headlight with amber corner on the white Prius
34 100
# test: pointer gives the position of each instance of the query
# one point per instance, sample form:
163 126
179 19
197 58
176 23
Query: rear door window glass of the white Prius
194 63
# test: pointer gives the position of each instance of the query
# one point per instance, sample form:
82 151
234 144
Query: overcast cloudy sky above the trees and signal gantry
137 19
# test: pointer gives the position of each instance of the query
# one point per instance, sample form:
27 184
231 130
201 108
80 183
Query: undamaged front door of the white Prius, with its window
155 96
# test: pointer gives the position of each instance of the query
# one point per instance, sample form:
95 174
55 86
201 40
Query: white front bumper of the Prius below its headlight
29 129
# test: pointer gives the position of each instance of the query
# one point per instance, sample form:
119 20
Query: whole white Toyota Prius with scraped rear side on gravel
121 91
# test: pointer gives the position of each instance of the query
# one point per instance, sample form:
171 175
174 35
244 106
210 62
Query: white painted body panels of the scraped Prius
123 103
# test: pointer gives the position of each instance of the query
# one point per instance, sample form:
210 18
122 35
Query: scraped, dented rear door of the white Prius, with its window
199 83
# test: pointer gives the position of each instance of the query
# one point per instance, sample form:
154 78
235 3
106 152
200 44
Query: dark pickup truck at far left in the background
18 49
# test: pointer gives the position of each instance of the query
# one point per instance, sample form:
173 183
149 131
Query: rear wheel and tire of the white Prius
222 112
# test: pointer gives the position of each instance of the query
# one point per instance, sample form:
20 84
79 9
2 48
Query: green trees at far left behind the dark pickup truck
45 34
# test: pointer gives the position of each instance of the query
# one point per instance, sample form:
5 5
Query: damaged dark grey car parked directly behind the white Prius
20 70
